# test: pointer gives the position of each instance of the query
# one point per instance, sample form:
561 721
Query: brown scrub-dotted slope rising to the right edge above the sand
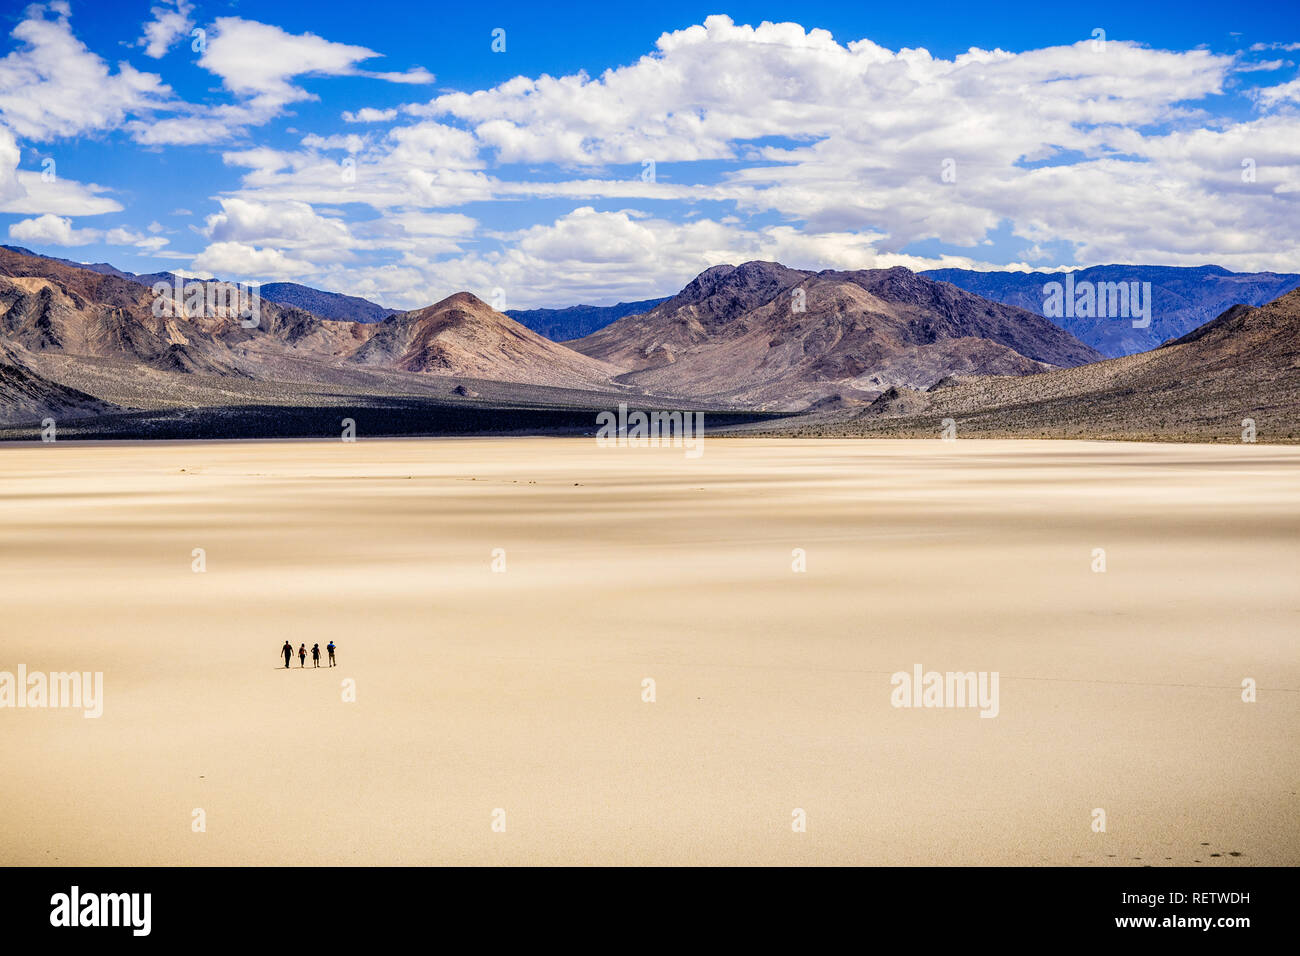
1236 378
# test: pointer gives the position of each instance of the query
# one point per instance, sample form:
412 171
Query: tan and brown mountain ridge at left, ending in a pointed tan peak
107 336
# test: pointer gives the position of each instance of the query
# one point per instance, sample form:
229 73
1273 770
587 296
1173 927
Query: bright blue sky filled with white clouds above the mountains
603 153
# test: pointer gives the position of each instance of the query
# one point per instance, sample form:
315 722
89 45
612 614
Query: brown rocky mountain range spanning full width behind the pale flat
830 352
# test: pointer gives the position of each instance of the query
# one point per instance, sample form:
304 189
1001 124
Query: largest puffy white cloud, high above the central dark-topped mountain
713 86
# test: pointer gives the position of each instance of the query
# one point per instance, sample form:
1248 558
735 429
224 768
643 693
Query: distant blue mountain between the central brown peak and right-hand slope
1181 299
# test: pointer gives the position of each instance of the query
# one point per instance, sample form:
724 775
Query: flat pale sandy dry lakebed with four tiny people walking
523 690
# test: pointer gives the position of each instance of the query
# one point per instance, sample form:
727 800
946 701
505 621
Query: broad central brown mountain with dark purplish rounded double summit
770 336
